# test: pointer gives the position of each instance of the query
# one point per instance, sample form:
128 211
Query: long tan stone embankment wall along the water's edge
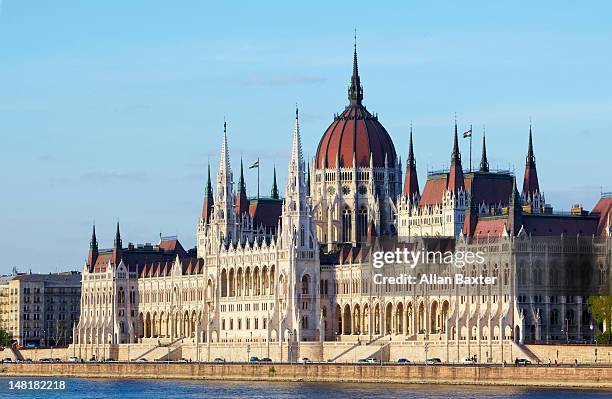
540 376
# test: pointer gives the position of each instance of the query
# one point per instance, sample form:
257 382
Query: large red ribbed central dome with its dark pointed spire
355 134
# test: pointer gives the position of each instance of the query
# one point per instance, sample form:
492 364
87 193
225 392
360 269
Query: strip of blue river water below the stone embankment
168 389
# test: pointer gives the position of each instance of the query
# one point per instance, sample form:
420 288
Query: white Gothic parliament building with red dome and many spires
291 274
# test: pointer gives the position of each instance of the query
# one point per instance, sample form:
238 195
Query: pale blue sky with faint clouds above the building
112 109
